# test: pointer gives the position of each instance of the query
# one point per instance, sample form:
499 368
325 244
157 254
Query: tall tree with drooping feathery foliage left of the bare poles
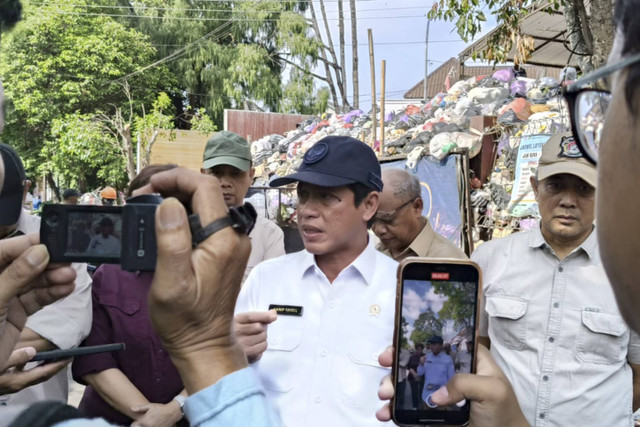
226 53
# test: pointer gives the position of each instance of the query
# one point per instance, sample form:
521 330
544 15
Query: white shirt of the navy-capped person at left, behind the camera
65 323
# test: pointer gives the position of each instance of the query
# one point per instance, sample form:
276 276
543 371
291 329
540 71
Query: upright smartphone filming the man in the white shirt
435 337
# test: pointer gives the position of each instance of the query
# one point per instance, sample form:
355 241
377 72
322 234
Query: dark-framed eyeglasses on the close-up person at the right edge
588 107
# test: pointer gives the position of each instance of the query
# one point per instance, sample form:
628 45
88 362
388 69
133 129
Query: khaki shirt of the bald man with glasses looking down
428 244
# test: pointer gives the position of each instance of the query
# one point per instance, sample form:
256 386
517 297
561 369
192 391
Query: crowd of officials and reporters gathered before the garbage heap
232 331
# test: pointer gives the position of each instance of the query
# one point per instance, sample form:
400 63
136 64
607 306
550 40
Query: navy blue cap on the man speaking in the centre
337 160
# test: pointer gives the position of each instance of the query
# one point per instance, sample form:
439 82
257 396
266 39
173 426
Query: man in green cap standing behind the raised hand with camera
227 156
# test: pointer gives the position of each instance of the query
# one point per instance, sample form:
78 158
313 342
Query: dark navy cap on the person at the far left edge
12 187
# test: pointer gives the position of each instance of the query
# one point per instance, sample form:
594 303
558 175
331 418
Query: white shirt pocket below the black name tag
279 361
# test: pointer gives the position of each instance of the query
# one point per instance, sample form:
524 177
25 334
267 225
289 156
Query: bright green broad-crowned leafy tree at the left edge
66 65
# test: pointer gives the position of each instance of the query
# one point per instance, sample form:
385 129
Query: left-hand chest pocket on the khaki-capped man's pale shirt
508 320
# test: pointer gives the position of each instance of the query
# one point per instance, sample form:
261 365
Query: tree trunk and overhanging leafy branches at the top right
590 35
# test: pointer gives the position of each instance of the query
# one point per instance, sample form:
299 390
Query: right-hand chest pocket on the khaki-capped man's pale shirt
602 339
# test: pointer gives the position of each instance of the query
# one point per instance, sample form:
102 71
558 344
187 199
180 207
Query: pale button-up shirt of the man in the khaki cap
556 331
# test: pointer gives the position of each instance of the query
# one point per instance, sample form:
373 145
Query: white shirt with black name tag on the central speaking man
321 368
